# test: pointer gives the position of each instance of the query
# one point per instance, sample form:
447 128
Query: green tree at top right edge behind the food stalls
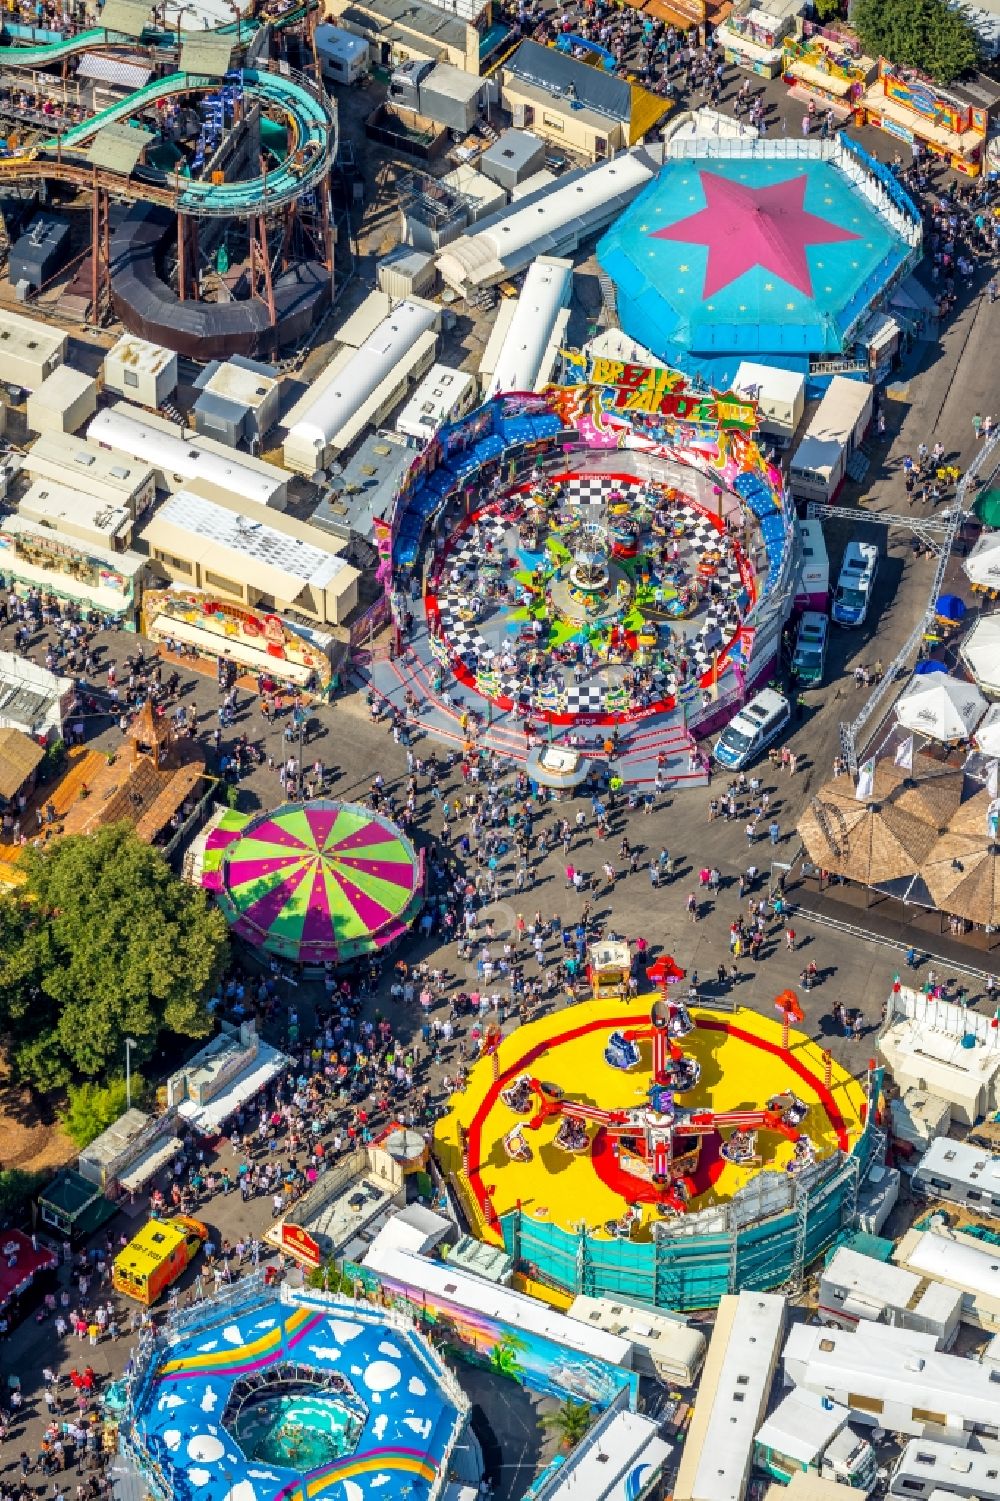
930 35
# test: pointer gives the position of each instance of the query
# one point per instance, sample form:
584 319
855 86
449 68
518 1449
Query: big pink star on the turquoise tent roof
747 227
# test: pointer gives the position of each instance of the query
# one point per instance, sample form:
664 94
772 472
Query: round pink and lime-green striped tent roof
318 882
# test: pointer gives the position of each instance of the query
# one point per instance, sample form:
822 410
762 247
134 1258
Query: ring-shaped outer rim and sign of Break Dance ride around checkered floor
646 432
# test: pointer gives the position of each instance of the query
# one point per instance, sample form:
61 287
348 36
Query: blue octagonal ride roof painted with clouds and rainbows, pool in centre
199 1395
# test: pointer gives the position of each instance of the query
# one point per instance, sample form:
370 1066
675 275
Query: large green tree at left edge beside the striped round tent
100 945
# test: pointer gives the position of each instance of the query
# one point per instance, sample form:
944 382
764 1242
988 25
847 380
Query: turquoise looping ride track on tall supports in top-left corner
306 109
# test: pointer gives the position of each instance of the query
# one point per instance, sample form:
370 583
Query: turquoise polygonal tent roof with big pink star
729 259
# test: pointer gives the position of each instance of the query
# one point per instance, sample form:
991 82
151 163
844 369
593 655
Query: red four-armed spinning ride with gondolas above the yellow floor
658 1143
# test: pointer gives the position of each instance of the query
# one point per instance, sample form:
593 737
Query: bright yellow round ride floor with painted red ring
742 1066
